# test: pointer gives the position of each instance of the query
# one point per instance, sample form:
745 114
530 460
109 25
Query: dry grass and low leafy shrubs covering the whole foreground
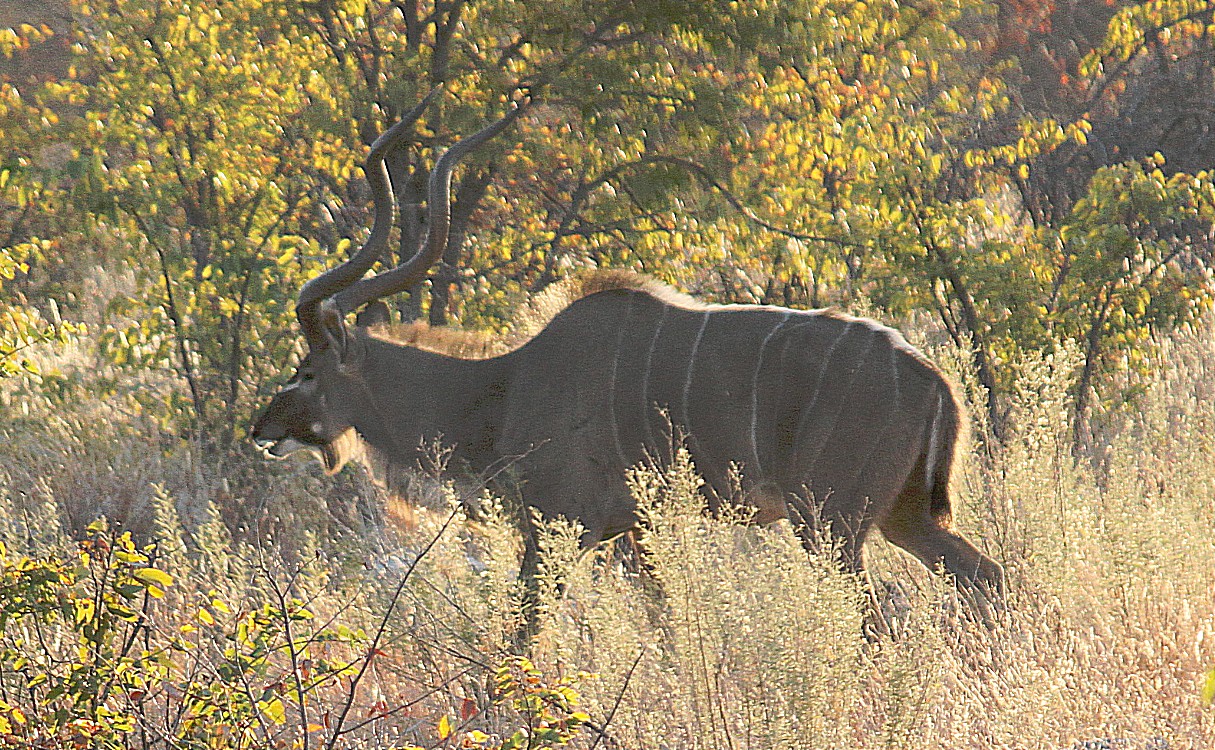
267 606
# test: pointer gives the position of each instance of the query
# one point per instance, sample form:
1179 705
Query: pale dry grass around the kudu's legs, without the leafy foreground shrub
751 644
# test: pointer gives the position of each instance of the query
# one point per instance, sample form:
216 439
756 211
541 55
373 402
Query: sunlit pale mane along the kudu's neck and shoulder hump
532 319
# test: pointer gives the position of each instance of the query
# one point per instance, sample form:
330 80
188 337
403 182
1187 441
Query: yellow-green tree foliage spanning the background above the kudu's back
800 154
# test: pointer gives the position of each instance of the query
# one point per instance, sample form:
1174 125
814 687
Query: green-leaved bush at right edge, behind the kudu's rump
1121 269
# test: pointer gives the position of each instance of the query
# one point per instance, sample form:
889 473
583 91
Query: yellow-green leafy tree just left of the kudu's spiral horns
195 145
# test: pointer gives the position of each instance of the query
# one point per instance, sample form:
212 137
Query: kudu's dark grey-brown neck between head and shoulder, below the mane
415 398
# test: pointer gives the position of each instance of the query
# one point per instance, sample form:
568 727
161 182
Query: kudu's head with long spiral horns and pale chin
317 410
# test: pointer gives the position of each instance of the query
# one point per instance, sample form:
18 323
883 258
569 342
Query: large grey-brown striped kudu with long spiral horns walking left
837 422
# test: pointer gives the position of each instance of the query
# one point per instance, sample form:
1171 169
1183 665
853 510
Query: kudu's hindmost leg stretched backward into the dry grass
911 526
